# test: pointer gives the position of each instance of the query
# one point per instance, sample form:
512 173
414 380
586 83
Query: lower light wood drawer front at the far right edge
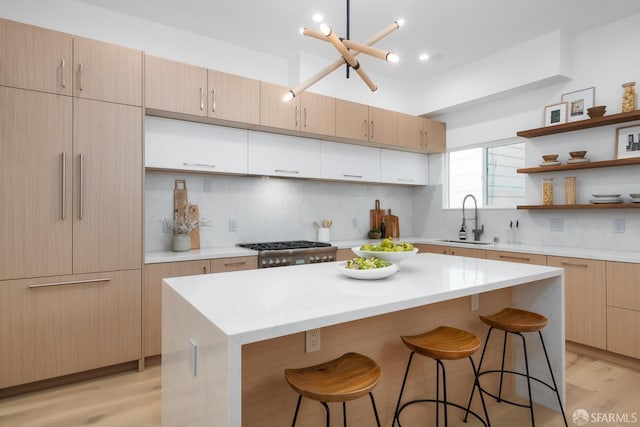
623 331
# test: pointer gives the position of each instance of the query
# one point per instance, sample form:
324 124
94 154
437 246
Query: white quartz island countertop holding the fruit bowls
253 305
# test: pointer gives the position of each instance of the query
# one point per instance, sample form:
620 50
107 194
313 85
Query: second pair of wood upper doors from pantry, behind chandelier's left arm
308 112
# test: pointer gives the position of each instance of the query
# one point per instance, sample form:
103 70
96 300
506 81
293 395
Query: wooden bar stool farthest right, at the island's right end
516 321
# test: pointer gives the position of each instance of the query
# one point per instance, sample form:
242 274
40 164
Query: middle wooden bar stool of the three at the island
442 343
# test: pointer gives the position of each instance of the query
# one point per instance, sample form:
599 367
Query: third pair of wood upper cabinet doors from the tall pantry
364 123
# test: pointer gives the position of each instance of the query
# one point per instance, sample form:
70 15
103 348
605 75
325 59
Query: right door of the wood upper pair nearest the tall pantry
233 98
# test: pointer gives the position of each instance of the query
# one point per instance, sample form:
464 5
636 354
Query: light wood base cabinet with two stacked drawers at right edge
623 308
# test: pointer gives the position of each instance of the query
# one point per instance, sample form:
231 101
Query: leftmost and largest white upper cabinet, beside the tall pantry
178 145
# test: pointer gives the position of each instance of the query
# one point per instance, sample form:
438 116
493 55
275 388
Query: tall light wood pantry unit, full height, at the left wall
71 203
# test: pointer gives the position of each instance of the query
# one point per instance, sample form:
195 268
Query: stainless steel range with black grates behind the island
296 252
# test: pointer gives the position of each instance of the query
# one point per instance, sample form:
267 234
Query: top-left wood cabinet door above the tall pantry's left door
35 58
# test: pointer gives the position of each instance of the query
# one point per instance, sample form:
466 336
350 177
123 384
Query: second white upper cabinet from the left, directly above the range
283 155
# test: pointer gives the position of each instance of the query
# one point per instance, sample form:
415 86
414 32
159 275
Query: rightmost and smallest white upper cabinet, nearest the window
401 167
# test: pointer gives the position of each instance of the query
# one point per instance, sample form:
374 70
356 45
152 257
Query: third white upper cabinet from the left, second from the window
350 162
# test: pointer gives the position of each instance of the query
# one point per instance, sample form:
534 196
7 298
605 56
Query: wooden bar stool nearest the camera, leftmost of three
348 377
